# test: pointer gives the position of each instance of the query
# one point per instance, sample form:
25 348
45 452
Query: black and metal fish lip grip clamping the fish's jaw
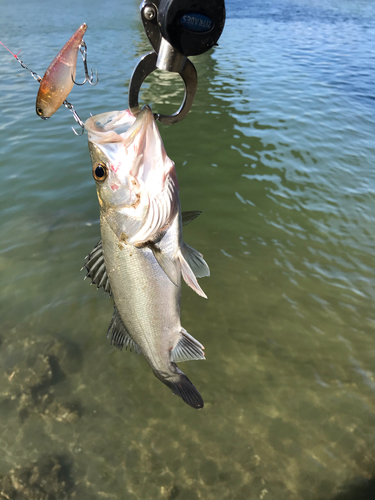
176 29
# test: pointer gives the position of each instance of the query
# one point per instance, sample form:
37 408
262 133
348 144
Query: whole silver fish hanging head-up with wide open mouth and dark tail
142 255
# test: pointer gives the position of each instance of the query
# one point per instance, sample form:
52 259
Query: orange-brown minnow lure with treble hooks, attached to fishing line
58 80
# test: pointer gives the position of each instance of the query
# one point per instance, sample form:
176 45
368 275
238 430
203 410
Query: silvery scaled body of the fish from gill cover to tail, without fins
147 301
